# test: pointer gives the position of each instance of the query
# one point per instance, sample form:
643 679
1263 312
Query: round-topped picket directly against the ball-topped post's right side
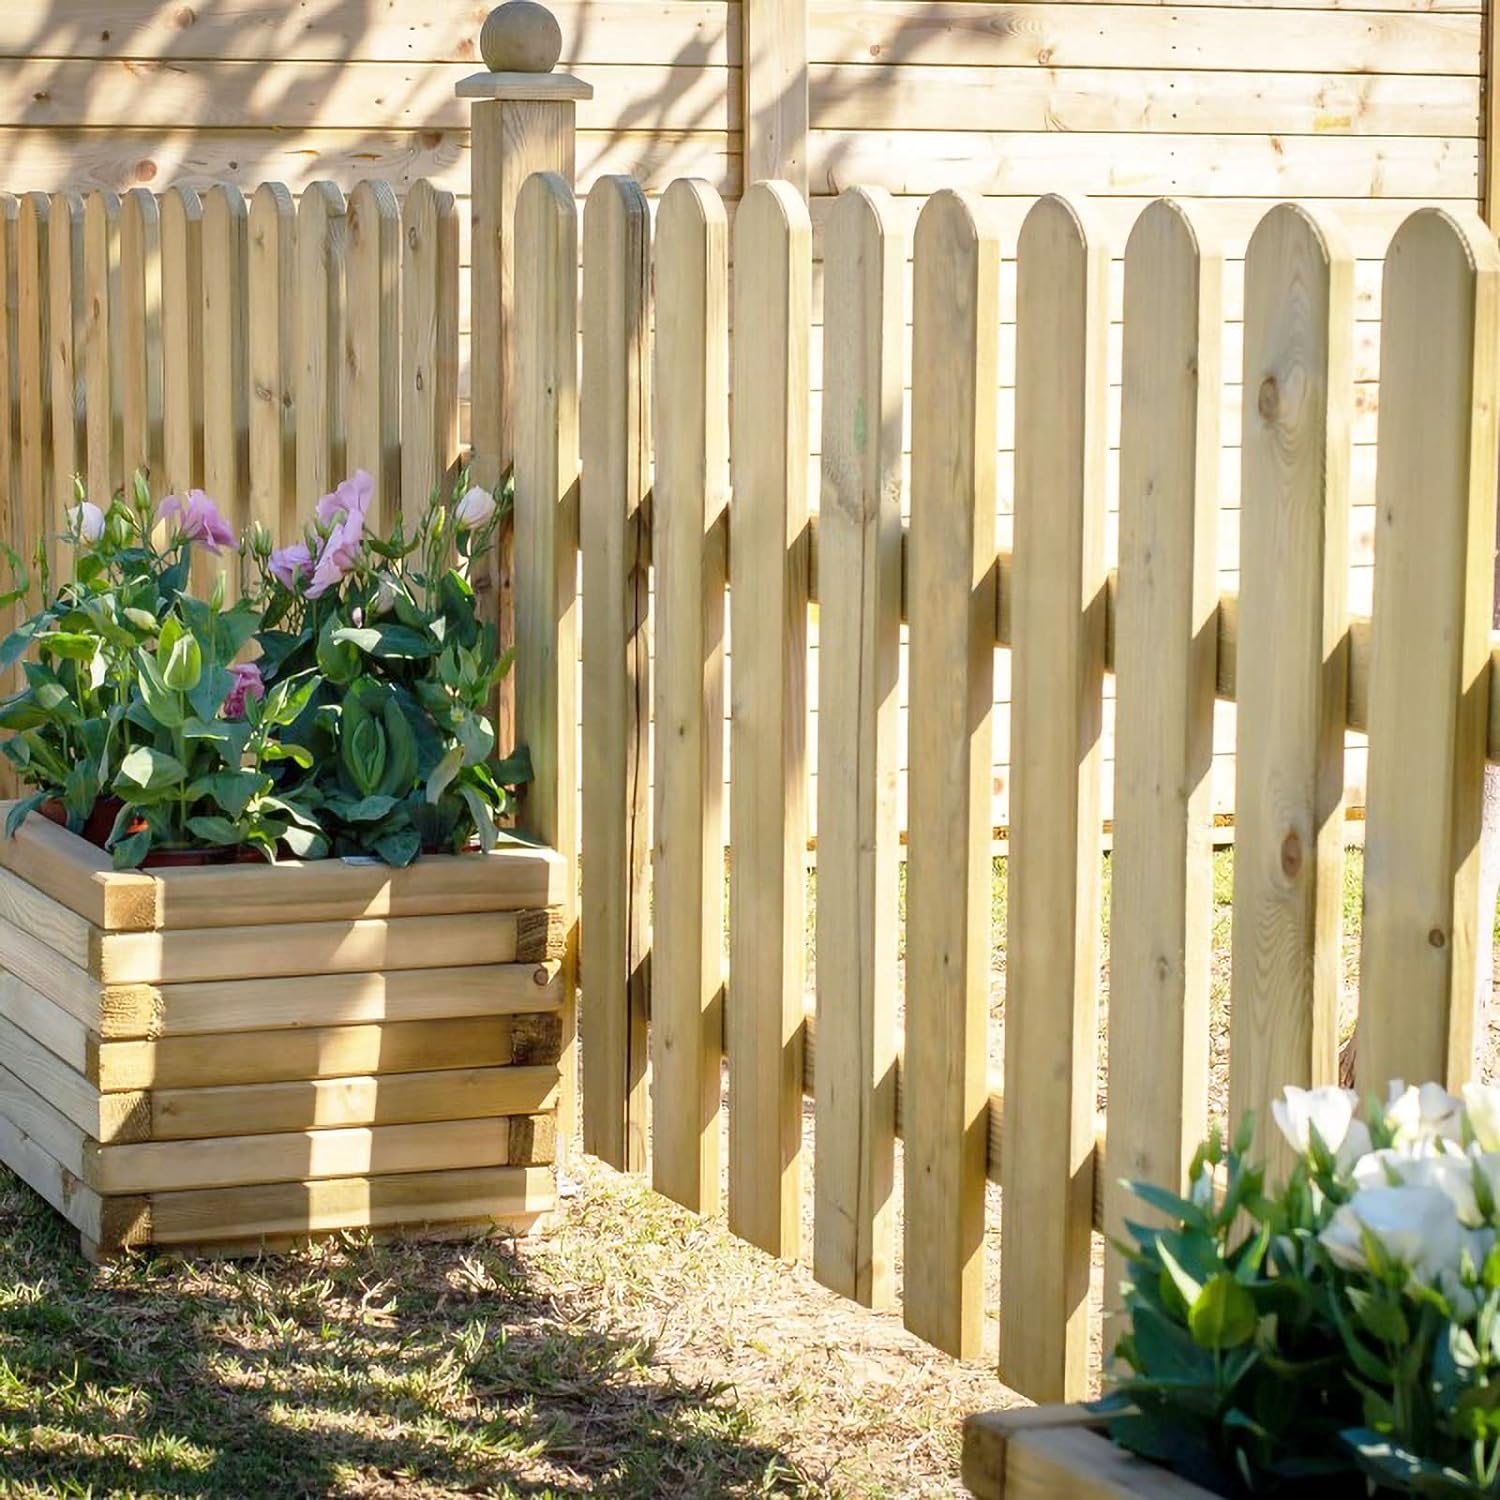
548 533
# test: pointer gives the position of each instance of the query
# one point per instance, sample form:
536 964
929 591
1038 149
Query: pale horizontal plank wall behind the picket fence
1369 110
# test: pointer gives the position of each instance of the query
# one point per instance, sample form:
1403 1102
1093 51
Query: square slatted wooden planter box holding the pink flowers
236 1055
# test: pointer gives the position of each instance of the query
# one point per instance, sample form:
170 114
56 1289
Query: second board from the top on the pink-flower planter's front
313 949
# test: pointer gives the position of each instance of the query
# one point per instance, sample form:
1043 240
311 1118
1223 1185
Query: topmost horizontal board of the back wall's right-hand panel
1145 37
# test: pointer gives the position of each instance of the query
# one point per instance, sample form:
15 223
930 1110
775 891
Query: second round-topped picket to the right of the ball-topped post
616 434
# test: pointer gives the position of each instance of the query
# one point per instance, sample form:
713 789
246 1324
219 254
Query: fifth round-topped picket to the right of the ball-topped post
859 638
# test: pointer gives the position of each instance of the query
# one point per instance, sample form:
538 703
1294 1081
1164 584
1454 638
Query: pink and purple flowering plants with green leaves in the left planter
338 707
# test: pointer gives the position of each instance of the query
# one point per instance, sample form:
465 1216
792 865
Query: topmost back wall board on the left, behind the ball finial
410 32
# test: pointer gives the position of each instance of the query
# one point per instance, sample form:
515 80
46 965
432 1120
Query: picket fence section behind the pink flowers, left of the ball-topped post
260 349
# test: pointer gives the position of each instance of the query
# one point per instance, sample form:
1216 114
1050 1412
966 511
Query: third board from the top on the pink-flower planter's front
349 1000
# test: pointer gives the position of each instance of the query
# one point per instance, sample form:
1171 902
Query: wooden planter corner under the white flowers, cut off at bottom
1060 1453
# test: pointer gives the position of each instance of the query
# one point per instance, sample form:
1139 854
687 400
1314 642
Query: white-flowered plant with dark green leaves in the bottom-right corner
1343 1330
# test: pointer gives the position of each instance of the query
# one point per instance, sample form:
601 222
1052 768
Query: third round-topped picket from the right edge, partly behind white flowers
1165 662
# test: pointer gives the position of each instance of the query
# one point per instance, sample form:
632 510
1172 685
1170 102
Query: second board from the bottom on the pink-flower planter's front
229 1162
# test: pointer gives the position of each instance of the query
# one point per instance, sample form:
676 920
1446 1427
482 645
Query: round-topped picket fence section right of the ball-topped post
635 461
